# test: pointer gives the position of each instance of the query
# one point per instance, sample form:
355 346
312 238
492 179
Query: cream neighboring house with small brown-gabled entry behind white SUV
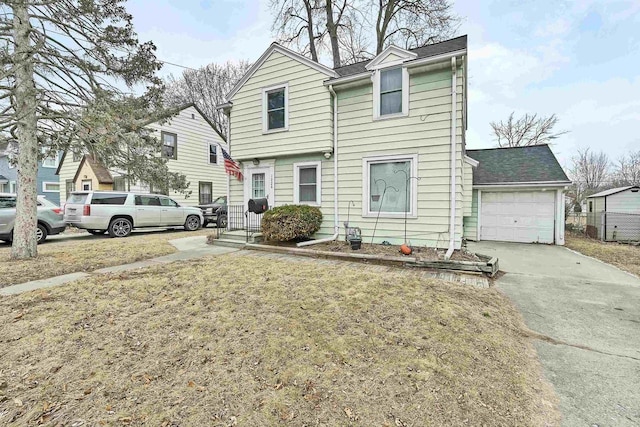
192 145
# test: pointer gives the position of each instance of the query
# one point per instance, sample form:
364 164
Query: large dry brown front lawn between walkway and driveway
248 341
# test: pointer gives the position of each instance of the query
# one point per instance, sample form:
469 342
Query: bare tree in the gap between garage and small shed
589 173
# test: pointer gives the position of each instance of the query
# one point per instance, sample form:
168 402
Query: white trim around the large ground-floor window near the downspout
413 206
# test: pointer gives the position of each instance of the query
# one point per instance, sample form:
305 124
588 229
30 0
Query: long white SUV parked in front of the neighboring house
118 213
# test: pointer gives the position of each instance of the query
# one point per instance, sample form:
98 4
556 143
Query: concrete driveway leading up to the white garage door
592 307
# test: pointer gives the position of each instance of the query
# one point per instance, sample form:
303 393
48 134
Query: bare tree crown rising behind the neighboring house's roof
206 87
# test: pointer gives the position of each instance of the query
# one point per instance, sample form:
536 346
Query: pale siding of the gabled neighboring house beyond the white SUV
194 136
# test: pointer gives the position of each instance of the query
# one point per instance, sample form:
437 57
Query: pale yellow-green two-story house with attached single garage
379 143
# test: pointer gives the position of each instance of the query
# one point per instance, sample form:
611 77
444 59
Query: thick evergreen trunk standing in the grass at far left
24 232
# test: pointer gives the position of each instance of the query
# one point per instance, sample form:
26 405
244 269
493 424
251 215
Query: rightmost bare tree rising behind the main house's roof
414 23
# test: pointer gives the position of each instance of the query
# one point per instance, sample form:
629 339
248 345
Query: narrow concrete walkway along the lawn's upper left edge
188 248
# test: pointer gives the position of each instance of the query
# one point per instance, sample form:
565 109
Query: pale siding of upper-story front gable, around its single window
309 112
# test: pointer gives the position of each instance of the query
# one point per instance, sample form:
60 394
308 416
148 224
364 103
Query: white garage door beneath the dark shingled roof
518 216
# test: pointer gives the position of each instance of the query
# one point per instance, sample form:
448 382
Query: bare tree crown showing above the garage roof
527 130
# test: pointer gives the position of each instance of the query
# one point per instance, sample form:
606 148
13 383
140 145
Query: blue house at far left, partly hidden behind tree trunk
47 181
